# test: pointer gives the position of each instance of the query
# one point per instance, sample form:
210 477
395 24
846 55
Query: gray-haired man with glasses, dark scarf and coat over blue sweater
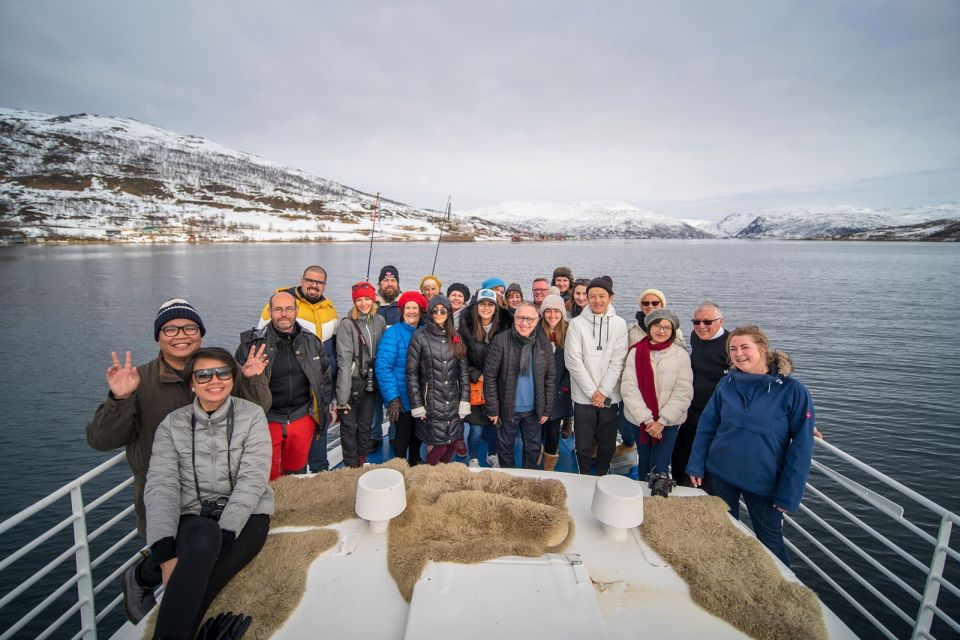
519 378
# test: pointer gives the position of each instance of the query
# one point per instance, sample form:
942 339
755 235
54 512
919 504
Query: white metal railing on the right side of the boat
900 578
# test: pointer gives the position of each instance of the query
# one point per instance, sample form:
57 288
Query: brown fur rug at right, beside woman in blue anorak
729 573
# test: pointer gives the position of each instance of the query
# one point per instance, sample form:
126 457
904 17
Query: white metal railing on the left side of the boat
85 606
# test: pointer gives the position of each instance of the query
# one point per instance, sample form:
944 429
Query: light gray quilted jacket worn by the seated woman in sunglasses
171 490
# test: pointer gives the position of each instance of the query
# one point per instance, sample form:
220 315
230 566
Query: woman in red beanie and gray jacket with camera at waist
358 335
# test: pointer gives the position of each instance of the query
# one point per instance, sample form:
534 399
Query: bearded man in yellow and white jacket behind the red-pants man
316 314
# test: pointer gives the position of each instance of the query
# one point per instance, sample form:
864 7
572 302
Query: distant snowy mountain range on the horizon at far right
914 223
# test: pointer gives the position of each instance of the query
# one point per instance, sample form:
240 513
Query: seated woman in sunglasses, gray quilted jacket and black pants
207 499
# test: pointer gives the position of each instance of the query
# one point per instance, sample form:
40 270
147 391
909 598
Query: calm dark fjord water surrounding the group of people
869 326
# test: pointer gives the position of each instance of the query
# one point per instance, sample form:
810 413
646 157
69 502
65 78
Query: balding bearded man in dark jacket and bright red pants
299 375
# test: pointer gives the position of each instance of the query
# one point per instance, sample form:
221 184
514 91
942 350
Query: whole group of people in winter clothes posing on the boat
206 430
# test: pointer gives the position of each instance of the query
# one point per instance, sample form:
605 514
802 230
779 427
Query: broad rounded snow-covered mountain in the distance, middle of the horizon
596 219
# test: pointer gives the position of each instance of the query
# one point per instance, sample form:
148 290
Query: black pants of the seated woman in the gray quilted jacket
203 570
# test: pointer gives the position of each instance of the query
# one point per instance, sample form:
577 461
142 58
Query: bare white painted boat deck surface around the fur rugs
600 588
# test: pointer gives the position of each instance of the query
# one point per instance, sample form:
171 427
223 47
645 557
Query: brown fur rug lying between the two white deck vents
455 515
